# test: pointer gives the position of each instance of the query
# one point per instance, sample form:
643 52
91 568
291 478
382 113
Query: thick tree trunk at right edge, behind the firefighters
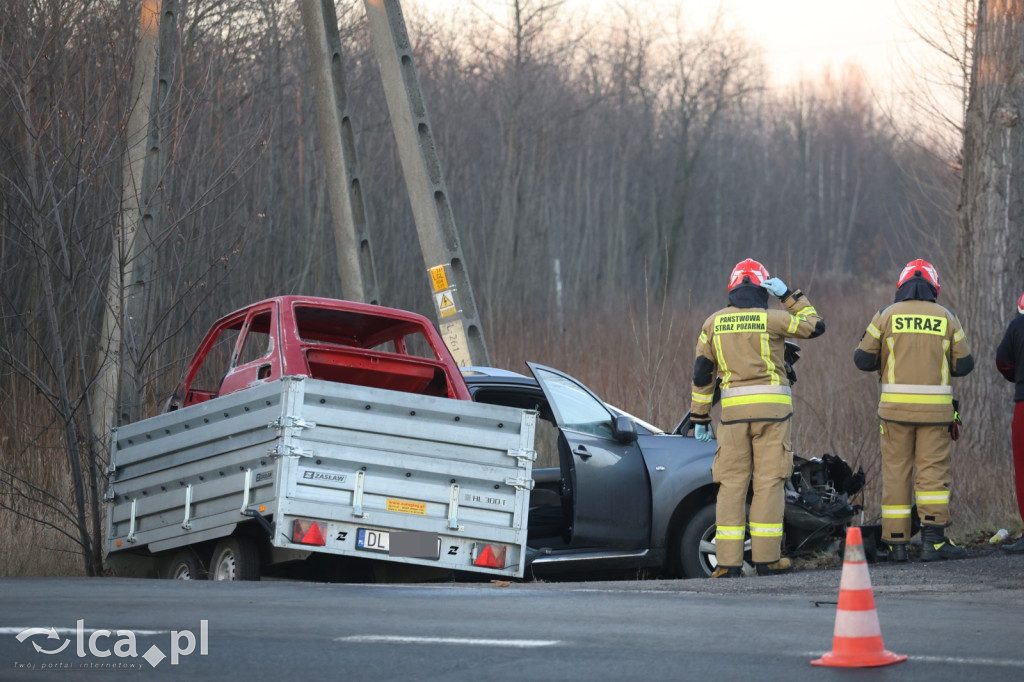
991 222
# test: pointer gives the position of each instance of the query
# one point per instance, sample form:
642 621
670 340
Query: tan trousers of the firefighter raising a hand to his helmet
761 450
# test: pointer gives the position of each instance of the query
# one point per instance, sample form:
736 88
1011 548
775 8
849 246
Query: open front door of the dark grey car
601 462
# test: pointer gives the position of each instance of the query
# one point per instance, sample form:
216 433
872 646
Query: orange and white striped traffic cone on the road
858 640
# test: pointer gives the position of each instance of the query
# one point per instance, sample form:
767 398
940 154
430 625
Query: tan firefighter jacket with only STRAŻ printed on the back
916 347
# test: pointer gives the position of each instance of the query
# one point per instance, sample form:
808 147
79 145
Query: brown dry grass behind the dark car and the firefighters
641 359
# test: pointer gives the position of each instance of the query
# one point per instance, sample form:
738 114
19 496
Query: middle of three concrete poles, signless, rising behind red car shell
352 237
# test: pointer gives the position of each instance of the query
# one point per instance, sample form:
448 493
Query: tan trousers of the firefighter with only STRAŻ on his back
915 470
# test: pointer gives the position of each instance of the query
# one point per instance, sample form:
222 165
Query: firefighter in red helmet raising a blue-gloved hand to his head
744 346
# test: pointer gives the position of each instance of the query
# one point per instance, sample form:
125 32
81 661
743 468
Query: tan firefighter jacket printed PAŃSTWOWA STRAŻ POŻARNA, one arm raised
745 348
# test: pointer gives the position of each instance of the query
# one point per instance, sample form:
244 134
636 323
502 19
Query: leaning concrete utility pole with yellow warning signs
443 258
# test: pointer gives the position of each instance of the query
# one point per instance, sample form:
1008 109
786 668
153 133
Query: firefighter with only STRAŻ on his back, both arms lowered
916 346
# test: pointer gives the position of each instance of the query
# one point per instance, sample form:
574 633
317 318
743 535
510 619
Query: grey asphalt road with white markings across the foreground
955 621
